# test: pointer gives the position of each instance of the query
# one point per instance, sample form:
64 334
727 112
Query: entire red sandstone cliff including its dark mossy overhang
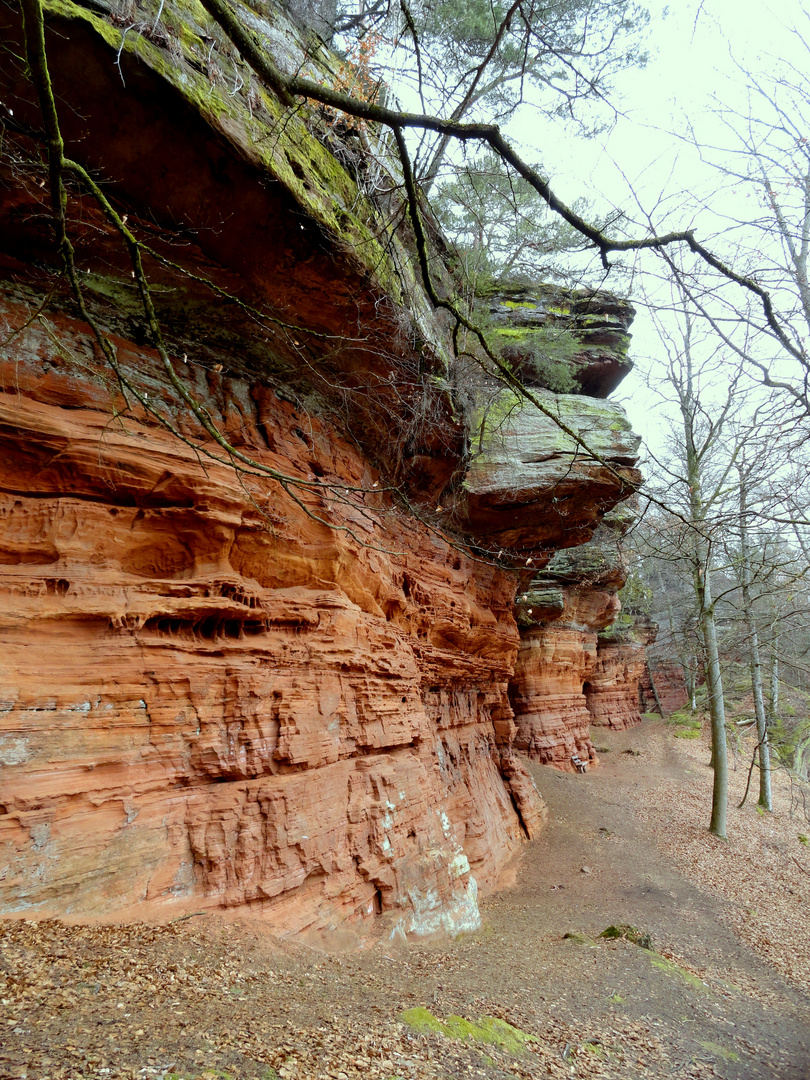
226 690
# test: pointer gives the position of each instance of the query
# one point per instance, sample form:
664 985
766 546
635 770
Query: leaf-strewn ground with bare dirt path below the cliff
723 992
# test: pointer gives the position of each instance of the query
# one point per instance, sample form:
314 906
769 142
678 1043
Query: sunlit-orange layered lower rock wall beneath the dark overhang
209 694
